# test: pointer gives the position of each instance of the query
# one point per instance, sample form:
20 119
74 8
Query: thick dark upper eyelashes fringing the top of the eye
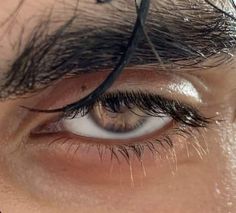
150 104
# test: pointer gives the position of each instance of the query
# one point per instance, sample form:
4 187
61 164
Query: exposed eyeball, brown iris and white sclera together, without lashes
126 124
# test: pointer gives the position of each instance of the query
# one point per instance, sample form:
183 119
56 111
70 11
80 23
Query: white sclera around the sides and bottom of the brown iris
85 126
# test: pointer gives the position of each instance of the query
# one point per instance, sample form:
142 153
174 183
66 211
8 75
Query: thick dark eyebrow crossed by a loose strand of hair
186 33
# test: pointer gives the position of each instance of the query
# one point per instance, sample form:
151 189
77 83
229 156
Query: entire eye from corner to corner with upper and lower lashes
104 124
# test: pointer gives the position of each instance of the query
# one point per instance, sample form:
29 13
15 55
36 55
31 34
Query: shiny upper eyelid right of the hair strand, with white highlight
187 88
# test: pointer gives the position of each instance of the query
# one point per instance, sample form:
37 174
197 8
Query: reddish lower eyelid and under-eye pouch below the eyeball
89 161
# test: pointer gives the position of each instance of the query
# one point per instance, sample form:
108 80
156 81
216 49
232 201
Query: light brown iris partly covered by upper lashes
126 120
